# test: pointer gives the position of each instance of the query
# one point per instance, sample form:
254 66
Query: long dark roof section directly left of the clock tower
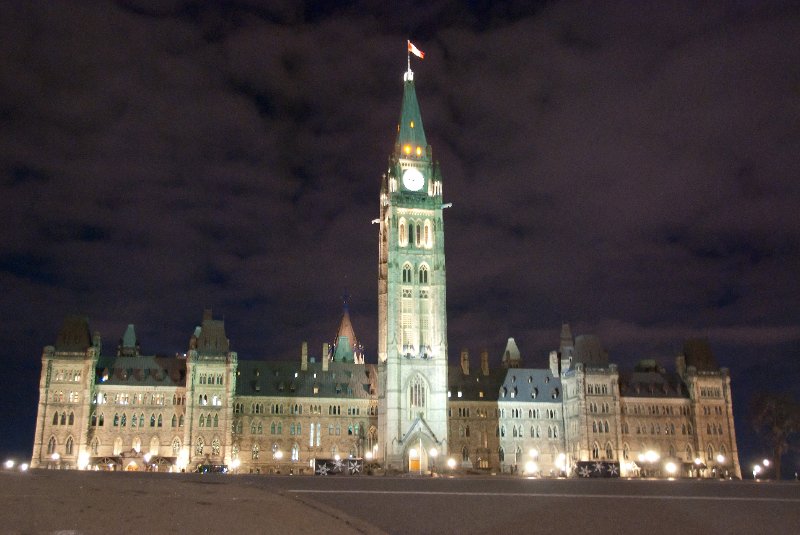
345 380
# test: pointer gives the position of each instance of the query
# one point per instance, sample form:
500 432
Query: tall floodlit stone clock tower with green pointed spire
412 313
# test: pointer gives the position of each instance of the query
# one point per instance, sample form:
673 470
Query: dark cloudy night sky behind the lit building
629 167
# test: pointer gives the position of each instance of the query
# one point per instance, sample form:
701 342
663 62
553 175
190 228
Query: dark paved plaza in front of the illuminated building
65 502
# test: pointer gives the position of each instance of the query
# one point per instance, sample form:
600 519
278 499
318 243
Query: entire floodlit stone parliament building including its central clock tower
576 414
